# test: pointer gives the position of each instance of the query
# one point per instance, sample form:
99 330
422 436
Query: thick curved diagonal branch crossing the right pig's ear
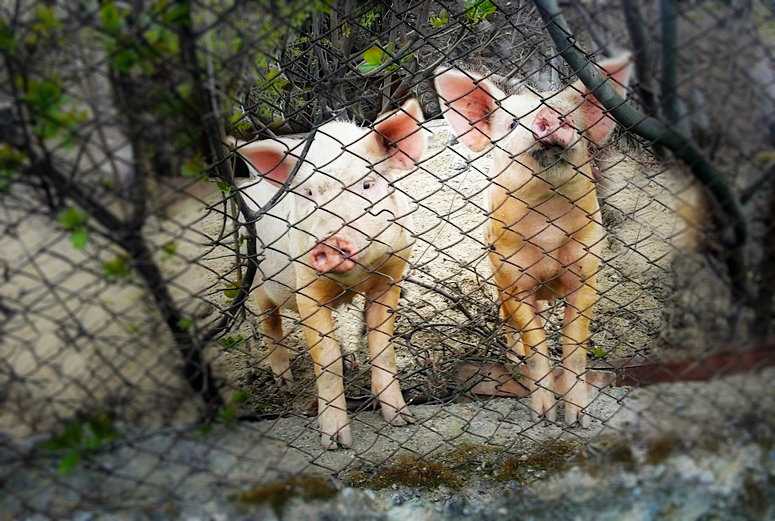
728 212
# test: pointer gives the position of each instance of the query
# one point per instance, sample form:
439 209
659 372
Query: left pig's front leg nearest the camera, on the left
318 325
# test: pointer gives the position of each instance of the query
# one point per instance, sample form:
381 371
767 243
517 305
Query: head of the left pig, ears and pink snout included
347 214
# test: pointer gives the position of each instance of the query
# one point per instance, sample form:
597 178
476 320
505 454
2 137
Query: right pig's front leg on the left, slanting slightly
521 316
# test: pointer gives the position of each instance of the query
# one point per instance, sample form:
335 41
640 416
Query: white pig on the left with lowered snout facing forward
343 229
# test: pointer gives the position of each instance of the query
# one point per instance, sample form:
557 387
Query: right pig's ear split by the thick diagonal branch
590 115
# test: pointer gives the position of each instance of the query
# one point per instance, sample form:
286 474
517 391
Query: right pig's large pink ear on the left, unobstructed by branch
468 103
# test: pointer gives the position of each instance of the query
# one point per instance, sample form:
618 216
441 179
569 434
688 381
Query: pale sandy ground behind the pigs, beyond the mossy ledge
78 343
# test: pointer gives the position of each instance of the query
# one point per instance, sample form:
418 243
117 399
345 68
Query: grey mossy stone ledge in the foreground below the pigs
686 451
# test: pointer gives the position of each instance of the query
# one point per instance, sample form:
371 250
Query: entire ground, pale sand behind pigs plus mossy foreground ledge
659 296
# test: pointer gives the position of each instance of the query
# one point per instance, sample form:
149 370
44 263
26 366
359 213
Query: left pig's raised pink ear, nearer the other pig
400 135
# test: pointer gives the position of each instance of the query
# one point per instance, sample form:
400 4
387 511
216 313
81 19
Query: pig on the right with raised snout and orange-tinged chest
544 232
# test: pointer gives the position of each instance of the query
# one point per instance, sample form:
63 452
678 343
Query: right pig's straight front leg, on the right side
572 385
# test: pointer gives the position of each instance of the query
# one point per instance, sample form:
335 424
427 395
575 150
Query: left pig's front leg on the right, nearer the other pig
381 304
